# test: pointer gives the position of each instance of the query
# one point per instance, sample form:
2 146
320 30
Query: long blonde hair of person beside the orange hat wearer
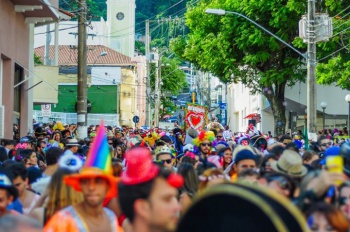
60 195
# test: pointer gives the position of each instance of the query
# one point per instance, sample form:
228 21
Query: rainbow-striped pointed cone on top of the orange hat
99 154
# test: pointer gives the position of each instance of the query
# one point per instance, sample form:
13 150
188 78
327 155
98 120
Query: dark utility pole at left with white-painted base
82 78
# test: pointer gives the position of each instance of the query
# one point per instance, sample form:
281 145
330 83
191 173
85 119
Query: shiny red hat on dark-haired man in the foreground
139 168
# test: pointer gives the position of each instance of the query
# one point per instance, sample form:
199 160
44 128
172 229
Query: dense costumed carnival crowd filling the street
127 179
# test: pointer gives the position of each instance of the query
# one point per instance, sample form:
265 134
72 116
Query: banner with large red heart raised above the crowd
196 116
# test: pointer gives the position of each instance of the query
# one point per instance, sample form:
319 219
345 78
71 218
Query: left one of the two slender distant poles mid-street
148 87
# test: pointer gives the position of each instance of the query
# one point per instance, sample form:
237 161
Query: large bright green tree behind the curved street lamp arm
235 50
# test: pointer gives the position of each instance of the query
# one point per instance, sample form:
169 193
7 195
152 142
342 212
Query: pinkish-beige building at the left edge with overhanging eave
17 22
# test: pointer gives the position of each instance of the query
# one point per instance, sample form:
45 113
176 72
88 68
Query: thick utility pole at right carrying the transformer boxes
311 68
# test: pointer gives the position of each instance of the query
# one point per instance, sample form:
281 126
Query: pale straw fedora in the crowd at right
290 163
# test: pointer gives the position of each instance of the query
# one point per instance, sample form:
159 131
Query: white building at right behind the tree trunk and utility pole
241 103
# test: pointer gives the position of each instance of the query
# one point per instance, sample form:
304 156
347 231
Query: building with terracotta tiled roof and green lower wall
111 78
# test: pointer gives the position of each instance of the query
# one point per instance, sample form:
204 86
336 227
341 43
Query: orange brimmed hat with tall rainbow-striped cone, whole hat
98 164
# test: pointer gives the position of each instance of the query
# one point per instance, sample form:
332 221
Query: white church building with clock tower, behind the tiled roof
118 32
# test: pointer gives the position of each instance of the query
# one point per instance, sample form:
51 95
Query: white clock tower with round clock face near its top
121 26
